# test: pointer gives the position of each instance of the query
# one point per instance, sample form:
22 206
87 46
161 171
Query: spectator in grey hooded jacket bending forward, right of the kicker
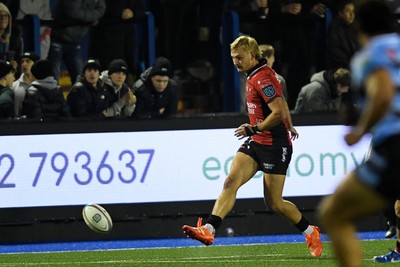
325 91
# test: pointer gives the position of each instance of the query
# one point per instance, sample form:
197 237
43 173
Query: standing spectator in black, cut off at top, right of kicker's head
297 22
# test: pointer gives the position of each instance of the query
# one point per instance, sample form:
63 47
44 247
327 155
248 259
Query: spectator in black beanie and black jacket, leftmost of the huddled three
89 97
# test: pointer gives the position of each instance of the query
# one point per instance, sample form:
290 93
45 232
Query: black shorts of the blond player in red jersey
270 159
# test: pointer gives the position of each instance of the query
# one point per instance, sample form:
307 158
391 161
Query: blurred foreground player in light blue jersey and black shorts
368 189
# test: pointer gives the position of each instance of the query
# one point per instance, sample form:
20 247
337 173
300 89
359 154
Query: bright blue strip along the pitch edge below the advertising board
163 243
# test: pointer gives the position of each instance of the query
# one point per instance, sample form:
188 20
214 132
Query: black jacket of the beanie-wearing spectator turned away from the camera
44 99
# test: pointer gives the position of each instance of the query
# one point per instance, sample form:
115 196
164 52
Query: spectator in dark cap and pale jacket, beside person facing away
25 80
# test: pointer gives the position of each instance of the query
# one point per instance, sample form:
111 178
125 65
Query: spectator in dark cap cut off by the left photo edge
6 93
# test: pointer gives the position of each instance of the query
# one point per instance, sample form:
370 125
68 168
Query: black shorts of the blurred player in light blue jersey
381 170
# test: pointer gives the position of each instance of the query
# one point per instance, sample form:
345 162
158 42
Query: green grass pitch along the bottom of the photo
284 254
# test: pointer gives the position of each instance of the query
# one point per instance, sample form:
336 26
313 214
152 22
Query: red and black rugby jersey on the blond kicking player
263 85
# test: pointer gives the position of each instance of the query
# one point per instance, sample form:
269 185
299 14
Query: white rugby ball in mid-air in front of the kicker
97 218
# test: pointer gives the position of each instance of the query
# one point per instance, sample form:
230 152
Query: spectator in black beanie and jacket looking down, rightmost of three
156 92
